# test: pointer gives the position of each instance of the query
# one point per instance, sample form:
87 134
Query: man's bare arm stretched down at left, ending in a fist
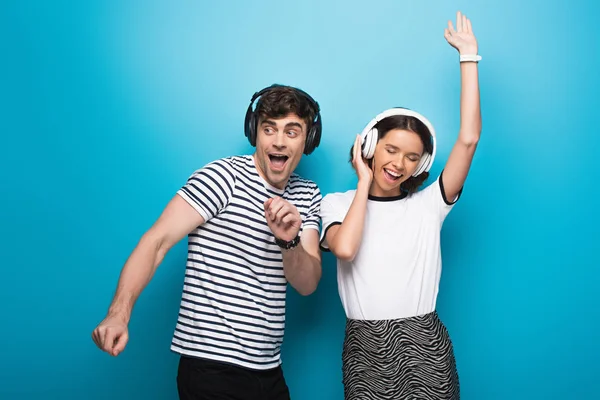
176 221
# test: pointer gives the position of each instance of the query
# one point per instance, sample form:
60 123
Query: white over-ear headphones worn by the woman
370 136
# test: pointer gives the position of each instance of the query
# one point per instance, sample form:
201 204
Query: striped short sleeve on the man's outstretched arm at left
210 188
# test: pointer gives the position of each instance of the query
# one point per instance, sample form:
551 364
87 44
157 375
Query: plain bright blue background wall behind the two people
108 106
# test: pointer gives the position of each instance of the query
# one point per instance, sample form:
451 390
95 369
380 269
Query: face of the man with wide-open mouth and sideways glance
279 147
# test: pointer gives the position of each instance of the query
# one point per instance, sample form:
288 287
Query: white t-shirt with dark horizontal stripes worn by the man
233 302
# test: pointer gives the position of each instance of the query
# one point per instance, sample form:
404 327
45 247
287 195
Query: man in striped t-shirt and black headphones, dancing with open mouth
252 226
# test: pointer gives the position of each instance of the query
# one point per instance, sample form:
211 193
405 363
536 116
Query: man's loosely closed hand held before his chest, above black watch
283 218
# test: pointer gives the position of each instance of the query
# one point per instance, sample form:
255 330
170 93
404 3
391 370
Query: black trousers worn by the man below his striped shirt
200 379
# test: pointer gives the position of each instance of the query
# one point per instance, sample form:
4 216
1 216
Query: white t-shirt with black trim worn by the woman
396 271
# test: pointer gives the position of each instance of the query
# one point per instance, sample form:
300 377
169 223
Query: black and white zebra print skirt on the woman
409 358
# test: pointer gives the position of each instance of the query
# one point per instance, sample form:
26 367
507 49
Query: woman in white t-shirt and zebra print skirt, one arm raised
386 237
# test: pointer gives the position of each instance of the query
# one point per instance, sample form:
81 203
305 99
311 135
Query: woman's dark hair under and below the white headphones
412 124
